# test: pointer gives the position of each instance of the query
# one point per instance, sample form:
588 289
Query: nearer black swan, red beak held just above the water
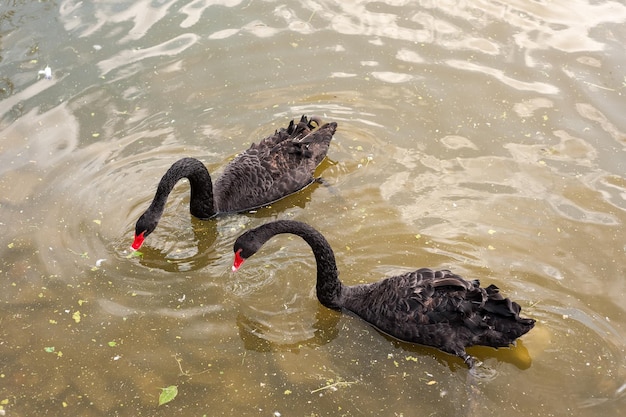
433 308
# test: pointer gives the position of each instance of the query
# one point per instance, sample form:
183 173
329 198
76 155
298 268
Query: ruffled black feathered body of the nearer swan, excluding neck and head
438 309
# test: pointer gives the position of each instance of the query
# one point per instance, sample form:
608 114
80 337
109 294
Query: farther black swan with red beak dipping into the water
276 167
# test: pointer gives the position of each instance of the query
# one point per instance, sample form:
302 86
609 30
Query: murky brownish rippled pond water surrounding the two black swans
485 137
